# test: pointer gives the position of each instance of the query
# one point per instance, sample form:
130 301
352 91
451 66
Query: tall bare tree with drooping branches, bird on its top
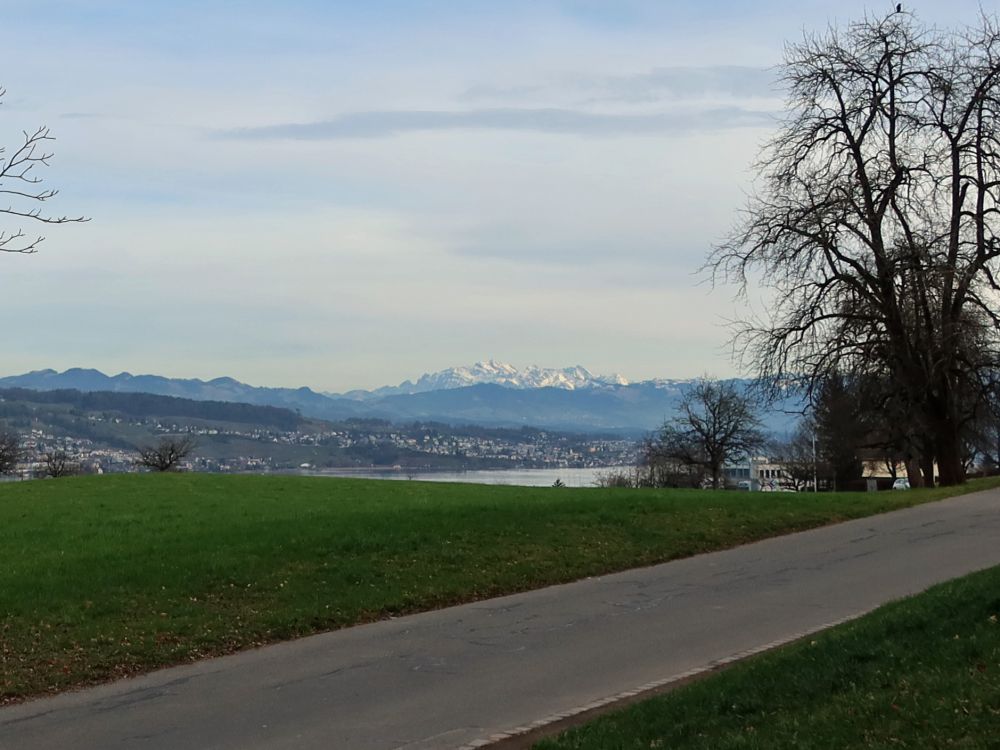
876 220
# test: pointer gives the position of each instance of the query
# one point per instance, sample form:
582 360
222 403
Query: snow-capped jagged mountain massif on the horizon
493 372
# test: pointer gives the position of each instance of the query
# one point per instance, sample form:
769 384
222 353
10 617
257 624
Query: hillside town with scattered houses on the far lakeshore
108 441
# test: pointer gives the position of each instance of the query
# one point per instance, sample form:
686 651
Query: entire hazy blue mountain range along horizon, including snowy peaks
487 393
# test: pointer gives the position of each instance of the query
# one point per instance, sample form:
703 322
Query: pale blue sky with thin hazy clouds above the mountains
346 195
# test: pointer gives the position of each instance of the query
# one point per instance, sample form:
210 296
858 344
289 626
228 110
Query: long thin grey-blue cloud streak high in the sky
382 124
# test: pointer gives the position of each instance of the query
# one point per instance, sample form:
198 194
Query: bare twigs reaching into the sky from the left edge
22 192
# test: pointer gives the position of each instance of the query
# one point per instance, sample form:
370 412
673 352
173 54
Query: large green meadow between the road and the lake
106 576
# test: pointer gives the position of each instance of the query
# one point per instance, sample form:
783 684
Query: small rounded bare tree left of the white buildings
715 424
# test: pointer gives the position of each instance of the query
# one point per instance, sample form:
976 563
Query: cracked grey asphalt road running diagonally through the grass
458 676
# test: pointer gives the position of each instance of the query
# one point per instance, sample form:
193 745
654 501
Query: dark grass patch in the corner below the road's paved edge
919 673
